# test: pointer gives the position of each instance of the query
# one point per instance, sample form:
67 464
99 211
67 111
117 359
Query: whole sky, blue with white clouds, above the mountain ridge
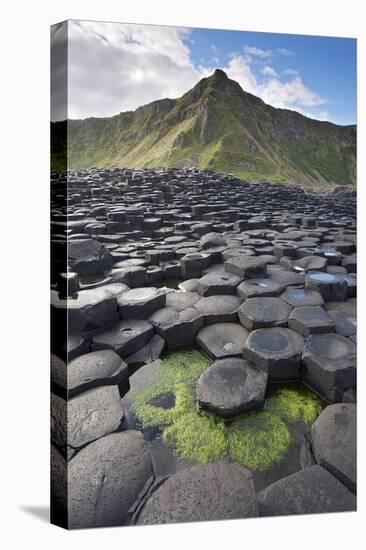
116 67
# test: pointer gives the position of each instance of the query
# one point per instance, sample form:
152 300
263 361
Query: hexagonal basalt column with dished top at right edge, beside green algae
329 363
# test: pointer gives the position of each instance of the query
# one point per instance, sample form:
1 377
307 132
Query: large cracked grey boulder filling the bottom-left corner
105 479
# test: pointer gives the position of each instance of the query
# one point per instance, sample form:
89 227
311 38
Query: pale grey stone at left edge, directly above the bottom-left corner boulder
93 414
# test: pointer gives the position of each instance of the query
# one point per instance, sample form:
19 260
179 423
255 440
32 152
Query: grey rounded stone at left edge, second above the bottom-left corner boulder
98 368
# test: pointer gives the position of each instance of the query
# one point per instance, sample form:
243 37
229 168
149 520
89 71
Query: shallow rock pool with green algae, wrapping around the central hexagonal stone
273 442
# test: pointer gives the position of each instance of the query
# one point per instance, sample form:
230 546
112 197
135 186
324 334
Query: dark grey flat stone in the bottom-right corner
310 491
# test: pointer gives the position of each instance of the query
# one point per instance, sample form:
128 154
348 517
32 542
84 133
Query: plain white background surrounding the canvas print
24 194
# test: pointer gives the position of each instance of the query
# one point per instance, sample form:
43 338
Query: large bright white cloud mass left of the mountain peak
118 67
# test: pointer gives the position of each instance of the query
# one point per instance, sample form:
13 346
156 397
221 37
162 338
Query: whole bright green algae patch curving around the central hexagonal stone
257 440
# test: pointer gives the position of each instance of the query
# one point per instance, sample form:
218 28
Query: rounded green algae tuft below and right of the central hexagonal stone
258 440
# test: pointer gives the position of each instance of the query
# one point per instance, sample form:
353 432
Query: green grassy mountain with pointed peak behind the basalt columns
219 126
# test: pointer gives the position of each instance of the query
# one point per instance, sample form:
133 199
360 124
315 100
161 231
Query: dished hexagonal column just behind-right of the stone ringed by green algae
275 350
